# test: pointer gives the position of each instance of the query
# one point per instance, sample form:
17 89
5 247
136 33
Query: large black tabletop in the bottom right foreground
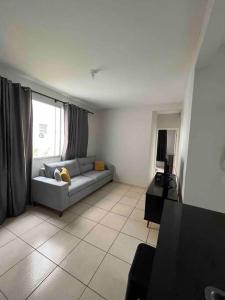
190 254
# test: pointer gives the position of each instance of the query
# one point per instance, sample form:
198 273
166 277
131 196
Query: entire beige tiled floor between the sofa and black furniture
85 254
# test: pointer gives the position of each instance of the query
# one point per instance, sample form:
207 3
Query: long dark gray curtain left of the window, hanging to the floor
15 148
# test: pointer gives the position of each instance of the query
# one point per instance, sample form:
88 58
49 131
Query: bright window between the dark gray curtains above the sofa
47 129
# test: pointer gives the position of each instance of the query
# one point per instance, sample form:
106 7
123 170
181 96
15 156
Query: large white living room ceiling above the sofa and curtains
145 47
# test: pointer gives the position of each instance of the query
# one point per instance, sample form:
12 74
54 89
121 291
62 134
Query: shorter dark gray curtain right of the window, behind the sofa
76 132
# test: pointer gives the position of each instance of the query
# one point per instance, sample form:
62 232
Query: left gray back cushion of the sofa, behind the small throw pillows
71 165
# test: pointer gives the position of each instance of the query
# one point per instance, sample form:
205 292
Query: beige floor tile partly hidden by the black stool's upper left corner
125 247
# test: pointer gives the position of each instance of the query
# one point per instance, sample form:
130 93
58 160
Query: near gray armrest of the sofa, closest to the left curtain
50 192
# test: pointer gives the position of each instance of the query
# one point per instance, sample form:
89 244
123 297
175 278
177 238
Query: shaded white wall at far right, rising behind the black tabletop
205 178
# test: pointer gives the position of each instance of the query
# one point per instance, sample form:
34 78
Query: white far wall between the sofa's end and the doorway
123 139
